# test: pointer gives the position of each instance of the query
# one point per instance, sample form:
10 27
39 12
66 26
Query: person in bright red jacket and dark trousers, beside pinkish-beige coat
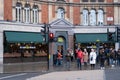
79 58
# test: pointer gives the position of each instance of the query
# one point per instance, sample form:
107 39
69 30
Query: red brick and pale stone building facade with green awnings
75 24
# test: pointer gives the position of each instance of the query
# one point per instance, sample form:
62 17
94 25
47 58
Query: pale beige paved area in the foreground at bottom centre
72 75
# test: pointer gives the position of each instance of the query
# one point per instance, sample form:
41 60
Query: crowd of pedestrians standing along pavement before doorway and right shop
107 57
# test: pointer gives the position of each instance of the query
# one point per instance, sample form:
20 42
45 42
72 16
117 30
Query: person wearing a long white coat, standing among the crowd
92 58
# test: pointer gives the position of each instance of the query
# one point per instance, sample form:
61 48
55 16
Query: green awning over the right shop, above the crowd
91 37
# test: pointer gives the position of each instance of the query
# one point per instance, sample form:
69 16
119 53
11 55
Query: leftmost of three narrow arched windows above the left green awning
18 12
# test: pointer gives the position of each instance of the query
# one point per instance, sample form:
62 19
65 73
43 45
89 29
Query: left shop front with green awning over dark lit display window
21 47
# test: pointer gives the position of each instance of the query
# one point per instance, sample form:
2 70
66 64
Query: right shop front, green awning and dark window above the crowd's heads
92 40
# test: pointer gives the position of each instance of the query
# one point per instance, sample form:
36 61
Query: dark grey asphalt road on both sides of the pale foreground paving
110 74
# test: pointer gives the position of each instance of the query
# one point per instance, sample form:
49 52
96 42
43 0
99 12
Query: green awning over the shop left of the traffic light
23 37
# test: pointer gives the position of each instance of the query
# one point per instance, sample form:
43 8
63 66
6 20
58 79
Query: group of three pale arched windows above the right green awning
94 17
